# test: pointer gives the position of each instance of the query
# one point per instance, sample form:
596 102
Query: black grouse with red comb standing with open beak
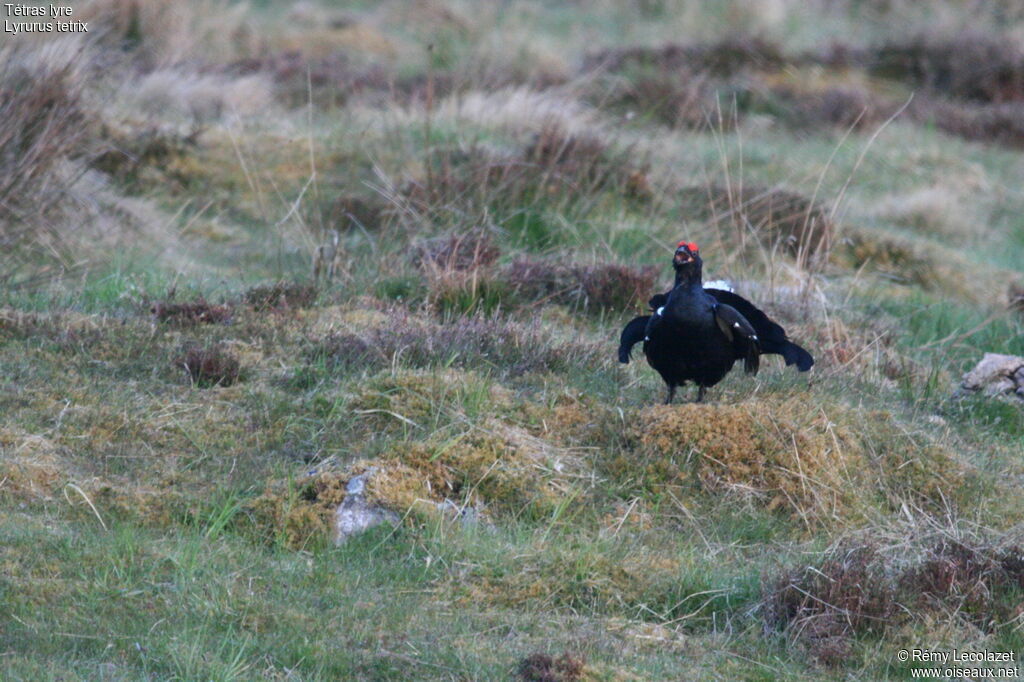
698 334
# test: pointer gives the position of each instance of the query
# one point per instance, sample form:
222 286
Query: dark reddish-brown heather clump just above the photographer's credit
863 589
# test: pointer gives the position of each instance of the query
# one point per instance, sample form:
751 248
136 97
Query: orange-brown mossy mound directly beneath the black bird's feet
818 460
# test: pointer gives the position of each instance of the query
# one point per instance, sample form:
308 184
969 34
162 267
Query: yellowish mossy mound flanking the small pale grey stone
497 468
